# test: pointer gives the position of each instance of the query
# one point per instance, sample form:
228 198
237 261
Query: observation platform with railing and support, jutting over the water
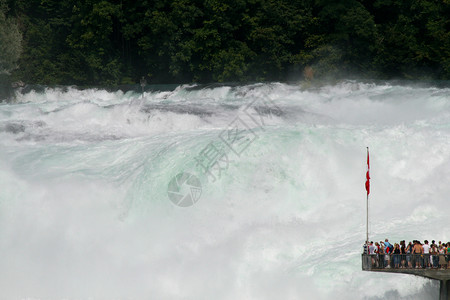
379 263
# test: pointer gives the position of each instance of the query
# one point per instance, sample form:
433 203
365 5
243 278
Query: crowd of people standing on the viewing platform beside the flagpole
411 255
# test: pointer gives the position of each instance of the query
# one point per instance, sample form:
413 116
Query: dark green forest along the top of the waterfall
114 42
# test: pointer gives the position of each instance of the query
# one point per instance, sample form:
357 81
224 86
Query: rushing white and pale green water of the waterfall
85 211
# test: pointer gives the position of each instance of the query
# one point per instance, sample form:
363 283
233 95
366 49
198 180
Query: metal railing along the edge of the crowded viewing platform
405 261
